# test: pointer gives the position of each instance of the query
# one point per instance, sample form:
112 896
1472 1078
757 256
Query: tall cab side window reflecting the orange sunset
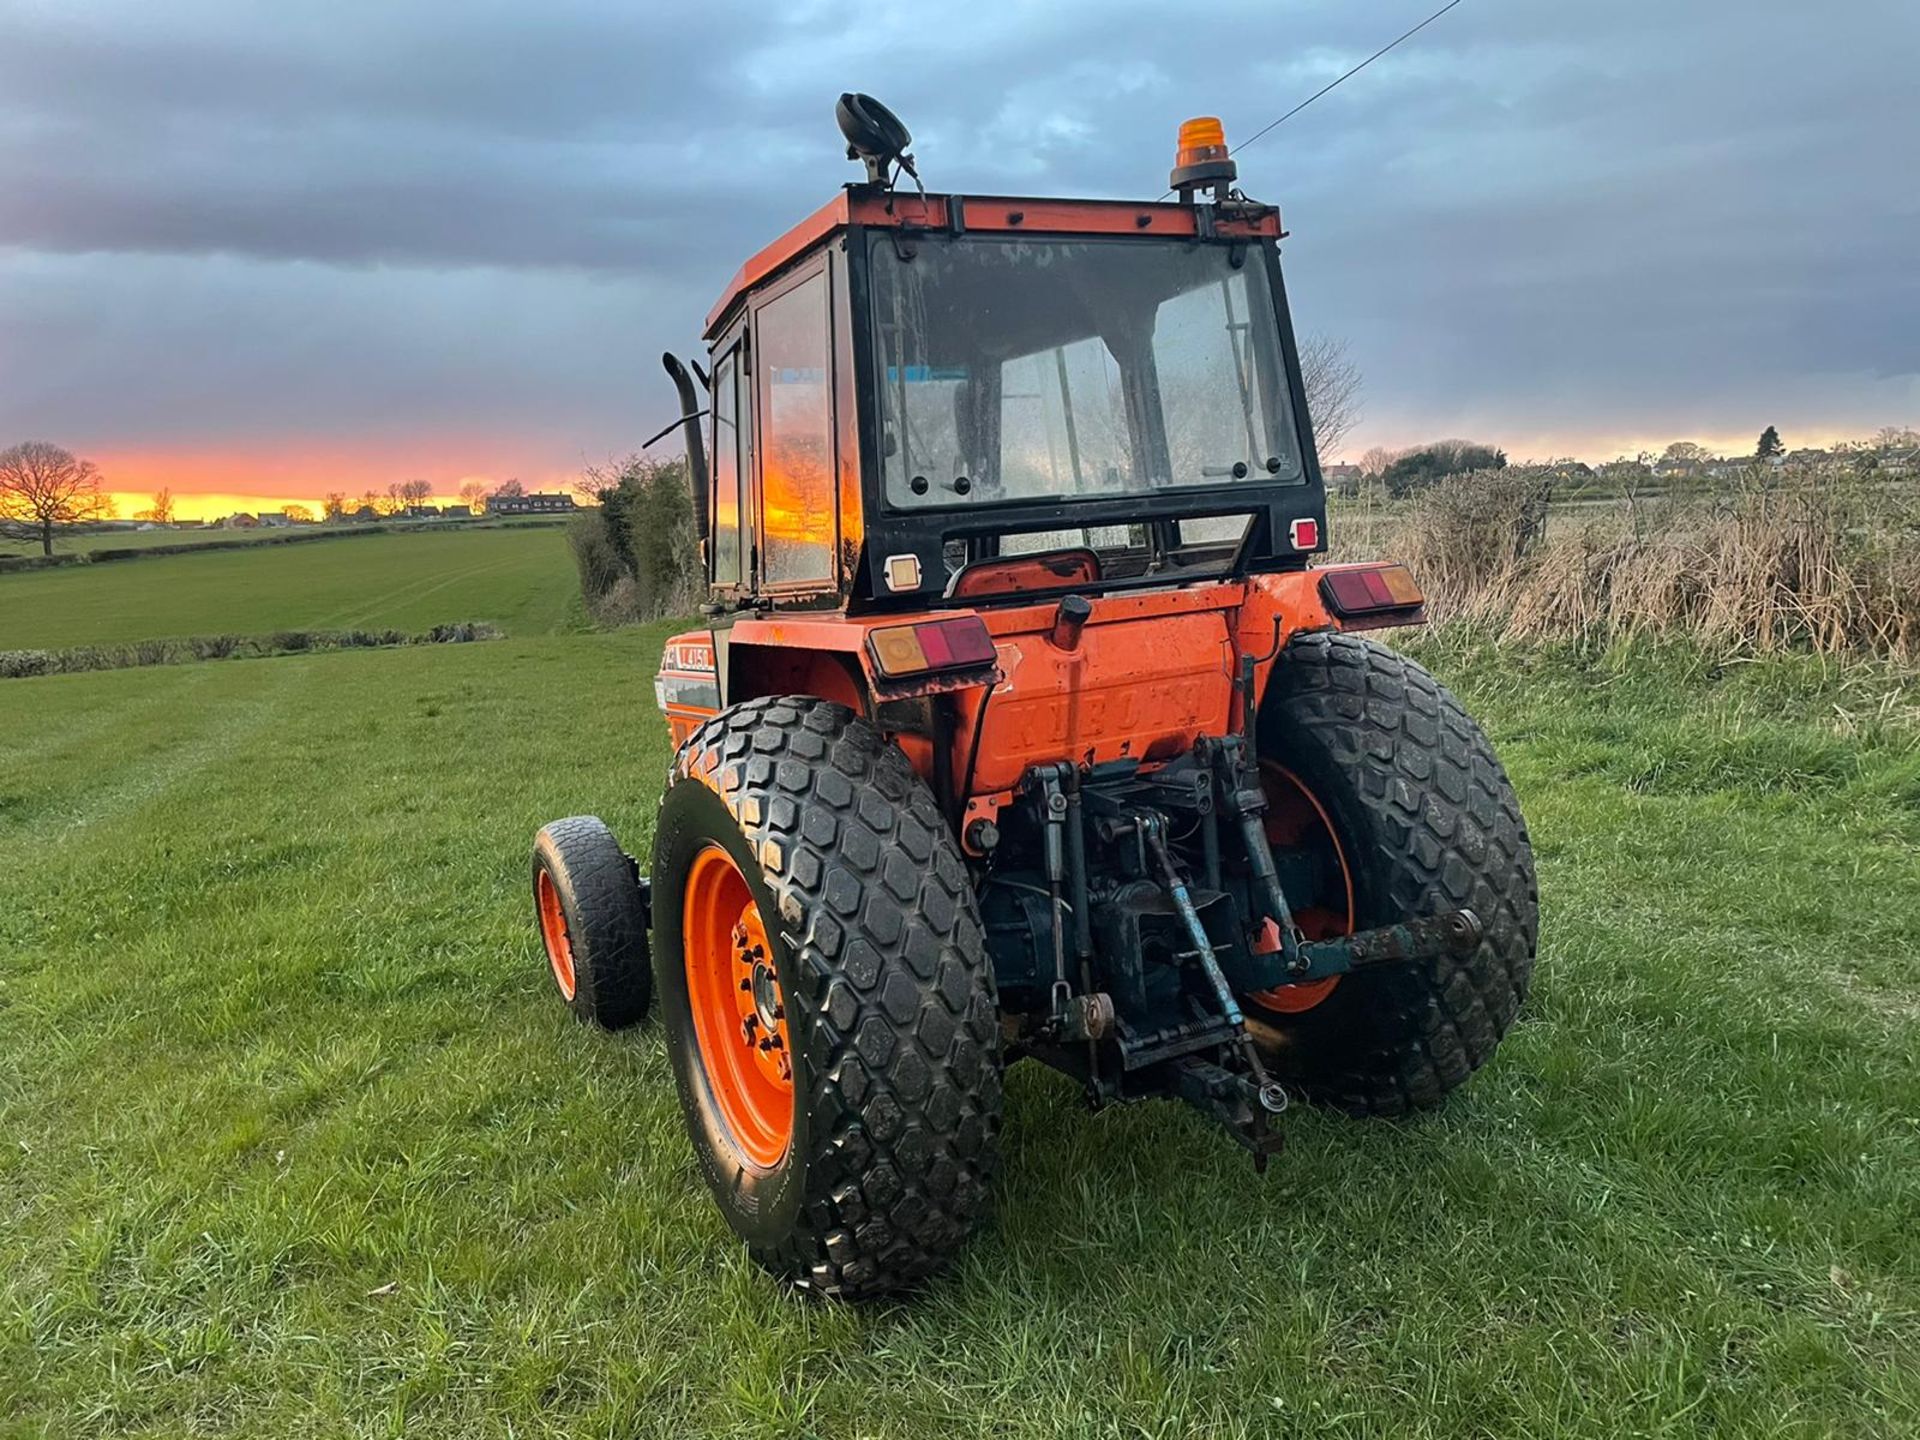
796 389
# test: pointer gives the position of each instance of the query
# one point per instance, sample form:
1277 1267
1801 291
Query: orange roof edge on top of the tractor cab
871 206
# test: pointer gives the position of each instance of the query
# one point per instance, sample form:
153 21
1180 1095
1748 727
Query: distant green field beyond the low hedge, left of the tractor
516 577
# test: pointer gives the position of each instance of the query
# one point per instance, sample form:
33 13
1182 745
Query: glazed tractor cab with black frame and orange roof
911 391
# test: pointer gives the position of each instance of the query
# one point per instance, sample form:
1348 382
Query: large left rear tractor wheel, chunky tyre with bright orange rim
827 997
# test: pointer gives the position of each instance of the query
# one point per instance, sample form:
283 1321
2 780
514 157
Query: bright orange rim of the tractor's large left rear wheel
740 1015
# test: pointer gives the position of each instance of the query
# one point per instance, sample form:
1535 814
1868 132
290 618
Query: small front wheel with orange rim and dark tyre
592 913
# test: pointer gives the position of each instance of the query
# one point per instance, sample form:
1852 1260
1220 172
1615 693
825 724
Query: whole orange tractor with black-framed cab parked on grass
1020 725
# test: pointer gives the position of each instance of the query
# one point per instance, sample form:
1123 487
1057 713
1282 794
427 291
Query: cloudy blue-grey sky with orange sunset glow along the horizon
260 252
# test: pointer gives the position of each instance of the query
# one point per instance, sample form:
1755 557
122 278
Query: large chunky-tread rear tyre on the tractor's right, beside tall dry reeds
1383 767
